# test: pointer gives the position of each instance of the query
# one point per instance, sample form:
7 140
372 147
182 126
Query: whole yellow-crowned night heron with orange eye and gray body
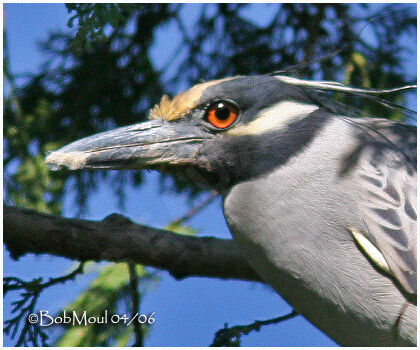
322 205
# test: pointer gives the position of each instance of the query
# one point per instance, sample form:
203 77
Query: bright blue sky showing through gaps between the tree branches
187 312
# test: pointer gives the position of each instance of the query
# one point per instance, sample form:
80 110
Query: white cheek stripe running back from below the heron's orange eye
274 118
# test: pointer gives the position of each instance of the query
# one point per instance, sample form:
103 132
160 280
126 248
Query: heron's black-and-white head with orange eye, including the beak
218 132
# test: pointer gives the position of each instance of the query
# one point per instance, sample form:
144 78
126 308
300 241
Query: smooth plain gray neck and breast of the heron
292 229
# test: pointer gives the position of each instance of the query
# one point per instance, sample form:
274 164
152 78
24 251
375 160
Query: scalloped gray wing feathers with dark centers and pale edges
389 212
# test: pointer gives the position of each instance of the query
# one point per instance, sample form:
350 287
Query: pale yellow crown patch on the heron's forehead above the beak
181 104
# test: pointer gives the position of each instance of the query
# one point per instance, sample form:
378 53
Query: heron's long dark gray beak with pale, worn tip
138 146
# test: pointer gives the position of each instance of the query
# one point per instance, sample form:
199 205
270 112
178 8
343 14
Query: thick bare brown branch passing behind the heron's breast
116 238
